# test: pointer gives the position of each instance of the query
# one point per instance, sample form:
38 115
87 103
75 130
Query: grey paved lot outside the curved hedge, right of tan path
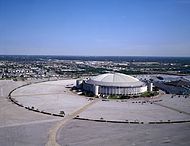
89 133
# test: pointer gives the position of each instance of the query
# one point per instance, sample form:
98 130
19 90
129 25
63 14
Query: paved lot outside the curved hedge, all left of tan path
18 126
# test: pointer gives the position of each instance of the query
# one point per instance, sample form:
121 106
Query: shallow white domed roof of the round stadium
115 79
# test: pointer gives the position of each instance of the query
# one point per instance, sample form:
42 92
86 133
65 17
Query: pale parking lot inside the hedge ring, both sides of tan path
54 97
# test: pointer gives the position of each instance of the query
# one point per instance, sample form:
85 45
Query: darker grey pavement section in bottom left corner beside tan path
30 134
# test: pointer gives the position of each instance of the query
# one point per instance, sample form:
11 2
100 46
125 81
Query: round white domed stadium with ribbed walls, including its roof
113 84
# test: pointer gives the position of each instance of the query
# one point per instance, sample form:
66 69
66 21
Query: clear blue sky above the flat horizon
95 27
